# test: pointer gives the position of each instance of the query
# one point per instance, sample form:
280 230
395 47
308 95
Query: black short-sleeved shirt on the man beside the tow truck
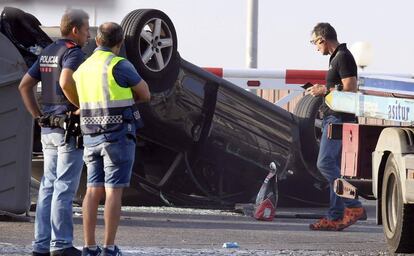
341 65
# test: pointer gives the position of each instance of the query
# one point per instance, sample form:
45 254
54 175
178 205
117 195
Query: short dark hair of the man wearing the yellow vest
109 34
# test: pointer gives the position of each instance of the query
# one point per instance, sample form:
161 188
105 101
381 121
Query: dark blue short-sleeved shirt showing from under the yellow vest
126 76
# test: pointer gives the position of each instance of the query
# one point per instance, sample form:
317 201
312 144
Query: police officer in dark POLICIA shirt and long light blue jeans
62 160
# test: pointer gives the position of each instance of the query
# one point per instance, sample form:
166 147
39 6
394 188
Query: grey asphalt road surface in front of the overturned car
175 231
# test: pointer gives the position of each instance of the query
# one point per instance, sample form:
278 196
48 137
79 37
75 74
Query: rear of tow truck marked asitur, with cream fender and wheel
378 160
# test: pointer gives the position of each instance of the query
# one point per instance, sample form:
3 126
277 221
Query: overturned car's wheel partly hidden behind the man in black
310 128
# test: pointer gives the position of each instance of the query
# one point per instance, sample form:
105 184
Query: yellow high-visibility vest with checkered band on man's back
102 101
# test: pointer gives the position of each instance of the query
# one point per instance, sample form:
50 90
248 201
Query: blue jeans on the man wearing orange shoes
329 164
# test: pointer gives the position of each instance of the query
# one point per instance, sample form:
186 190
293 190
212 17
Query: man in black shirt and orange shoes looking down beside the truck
342 73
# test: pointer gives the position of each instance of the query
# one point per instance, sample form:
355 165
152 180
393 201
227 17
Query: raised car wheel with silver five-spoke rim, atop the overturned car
150 42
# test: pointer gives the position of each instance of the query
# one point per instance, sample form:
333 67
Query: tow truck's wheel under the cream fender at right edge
397 217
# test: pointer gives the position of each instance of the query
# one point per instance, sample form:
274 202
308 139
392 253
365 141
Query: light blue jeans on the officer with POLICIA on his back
62 170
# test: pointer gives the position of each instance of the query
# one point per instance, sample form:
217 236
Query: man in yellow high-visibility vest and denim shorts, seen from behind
108 87
